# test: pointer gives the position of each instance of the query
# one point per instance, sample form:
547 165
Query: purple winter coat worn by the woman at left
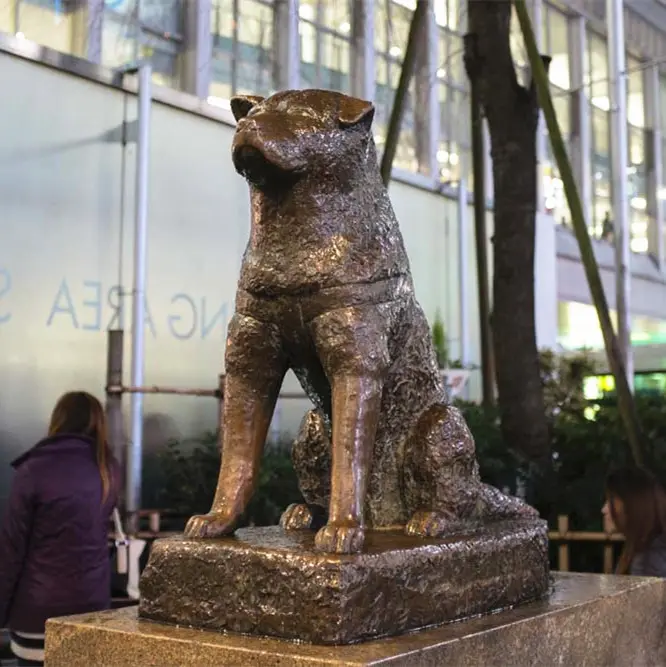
54 554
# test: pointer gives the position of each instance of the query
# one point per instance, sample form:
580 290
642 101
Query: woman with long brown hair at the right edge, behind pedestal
636 505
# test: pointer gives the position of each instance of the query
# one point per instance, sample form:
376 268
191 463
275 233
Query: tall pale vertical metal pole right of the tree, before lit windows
619 158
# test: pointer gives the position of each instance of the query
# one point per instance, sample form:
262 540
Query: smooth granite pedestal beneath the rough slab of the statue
588 621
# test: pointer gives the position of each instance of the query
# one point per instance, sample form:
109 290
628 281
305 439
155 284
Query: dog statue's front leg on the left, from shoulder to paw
255 368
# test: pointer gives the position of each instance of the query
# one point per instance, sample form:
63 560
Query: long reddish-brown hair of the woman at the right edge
644 501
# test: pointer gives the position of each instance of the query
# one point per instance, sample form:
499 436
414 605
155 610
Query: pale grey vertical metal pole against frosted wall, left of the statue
135 445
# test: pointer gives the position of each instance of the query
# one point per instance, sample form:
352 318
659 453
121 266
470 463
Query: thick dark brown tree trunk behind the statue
512 114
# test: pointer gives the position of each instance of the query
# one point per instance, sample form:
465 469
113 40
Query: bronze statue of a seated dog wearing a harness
325 290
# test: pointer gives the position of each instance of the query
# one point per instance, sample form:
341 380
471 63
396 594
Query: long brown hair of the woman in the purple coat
80 413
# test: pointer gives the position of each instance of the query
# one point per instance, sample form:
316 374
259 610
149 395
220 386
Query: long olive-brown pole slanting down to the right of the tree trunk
626 402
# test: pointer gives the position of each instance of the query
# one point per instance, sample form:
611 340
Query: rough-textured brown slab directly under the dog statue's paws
268 582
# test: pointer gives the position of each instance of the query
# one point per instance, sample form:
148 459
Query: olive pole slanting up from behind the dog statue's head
416 30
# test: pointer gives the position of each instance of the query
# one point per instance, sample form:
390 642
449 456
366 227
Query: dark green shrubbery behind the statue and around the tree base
586 442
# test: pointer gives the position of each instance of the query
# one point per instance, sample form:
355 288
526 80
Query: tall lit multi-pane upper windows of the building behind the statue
216 48
